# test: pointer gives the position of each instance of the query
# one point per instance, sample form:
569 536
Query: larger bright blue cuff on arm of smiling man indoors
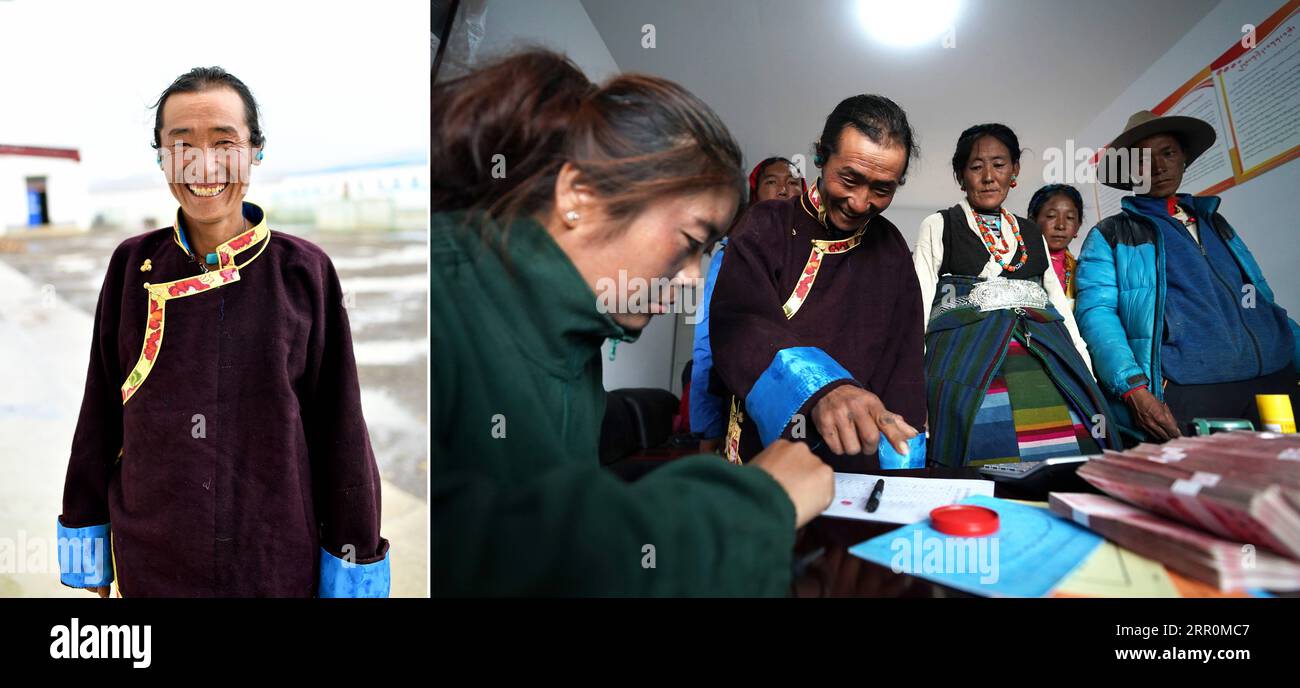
788 383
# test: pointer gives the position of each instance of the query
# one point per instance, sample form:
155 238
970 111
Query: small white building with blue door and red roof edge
42 188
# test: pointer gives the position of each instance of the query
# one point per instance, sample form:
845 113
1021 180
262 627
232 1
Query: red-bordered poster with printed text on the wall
1250 96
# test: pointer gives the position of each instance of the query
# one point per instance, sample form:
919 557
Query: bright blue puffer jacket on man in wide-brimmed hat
1121 300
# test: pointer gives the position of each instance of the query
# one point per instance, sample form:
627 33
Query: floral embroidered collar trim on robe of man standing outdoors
162 293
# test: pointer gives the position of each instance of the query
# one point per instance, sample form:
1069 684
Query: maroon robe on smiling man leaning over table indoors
857 322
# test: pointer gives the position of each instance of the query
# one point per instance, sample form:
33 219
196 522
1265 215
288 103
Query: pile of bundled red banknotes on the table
1223 509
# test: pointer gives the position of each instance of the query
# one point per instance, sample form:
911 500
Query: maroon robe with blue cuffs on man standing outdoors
222 442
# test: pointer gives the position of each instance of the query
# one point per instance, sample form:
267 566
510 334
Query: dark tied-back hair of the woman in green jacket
634 140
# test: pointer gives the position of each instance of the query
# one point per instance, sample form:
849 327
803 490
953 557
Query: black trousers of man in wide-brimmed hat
1230 400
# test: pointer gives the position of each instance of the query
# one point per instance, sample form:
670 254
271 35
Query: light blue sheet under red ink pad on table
1033 552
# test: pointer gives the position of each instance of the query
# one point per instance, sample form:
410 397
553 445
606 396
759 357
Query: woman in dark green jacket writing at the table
556 202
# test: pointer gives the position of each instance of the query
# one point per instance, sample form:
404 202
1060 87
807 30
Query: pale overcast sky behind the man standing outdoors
339 83
